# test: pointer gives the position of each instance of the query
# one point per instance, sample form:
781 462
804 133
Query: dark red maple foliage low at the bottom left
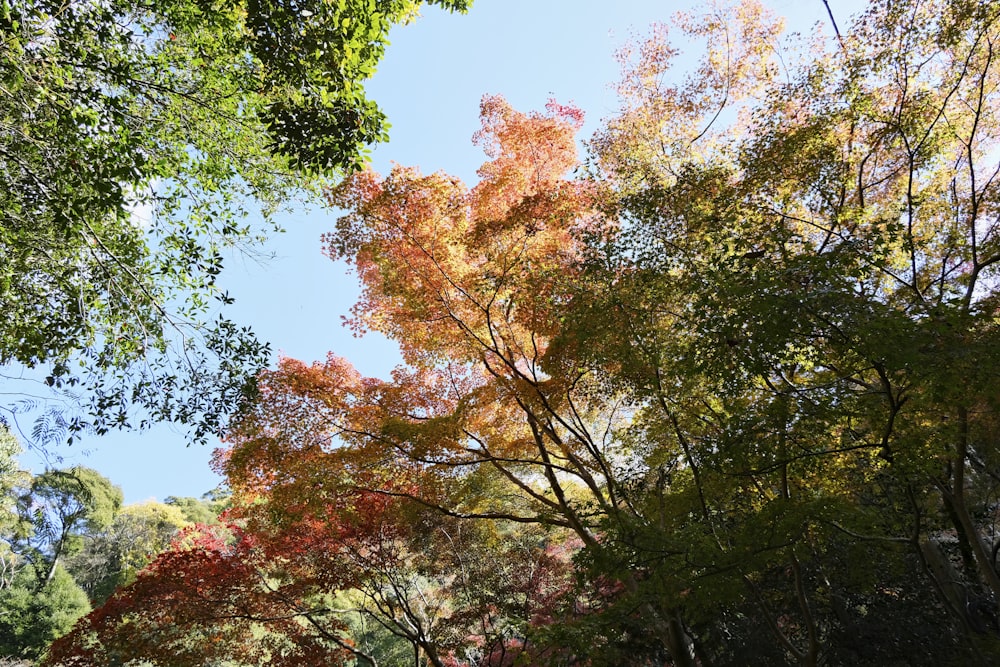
227 593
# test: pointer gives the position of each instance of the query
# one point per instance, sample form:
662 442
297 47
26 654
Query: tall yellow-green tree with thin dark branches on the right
801 287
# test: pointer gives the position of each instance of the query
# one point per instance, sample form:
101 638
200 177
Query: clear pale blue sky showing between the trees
429 84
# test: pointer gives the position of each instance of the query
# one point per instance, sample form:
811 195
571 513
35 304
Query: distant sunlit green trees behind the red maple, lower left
66 544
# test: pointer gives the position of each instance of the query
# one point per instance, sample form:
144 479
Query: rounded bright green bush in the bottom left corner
33 617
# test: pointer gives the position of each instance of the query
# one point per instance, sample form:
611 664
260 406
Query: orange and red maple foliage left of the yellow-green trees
337 518
